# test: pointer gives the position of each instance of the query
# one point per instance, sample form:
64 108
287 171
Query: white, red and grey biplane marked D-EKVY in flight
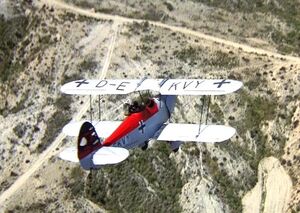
102 143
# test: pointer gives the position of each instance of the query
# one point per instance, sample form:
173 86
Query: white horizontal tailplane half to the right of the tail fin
110 155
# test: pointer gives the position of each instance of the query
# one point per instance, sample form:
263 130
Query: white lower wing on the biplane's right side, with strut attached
190 132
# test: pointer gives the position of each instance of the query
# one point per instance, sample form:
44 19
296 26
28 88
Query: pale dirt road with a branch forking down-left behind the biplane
117 19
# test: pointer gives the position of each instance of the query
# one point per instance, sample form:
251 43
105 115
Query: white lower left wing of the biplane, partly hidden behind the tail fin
103 128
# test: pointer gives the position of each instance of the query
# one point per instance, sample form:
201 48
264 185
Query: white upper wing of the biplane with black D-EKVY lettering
164 86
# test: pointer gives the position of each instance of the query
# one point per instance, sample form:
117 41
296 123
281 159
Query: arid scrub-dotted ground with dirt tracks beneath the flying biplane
46 43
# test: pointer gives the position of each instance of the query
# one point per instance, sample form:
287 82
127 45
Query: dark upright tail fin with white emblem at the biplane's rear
88 142
